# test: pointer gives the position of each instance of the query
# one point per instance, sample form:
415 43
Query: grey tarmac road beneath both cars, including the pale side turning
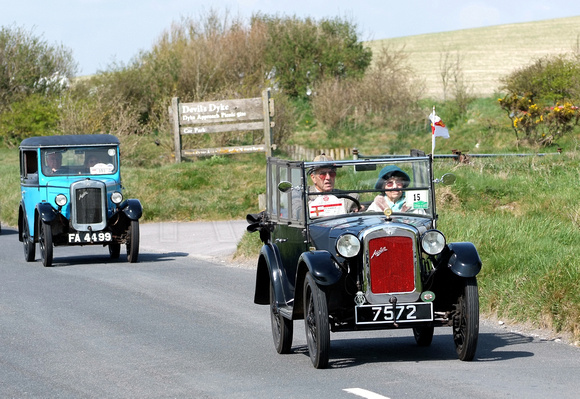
181 324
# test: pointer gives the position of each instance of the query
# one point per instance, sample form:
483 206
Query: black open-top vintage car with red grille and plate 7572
364 255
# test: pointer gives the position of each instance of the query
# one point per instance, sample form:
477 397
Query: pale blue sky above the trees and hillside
101 33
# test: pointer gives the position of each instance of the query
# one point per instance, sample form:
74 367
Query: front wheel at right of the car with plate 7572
466 321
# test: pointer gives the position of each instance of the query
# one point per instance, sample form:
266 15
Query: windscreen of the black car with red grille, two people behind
403 186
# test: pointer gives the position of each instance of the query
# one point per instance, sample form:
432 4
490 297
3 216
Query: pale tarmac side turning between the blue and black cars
213 241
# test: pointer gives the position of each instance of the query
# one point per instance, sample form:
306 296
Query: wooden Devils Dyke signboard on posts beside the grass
220 117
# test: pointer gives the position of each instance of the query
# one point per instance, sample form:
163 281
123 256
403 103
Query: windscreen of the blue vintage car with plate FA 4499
75 161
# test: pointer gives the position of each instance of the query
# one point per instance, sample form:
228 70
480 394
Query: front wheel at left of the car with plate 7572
316 323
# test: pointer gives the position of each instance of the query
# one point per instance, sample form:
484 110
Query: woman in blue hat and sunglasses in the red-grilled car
391 177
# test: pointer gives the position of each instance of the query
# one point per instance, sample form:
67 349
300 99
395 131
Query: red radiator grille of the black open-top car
392 268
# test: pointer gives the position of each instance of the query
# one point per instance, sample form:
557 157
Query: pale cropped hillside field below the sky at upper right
487 53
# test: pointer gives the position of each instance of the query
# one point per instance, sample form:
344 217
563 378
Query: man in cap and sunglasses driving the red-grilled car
323 179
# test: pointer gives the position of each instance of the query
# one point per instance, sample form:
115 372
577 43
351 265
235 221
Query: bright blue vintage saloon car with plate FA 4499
72 195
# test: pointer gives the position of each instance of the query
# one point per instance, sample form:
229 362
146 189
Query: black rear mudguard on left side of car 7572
270 270
